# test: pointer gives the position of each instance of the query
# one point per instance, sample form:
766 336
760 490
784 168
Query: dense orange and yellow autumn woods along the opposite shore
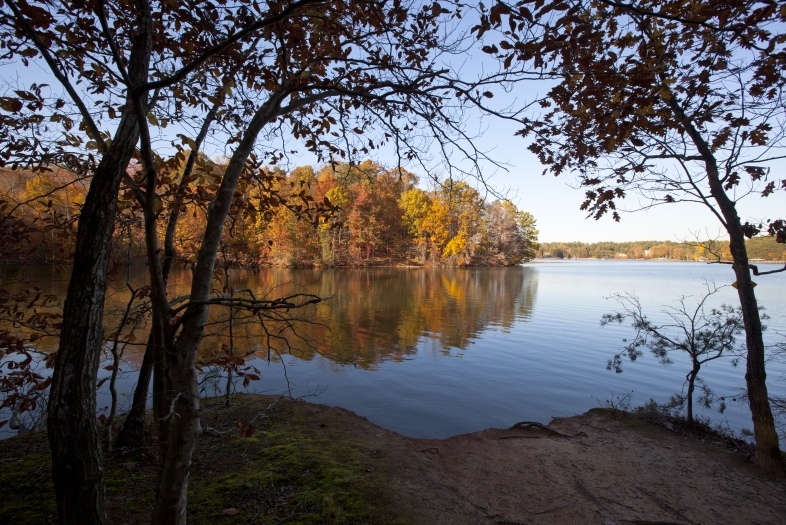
369 215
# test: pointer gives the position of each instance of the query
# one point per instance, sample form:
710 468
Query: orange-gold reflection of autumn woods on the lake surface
371 315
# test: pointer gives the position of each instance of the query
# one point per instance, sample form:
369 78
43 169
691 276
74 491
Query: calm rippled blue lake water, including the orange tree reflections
436 352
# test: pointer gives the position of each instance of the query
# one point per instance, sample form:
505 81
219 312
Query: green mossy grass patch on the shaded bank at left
295 463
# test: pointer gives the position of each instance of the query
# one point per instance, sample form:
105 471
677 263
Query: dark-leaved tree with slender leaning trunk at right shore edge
672 101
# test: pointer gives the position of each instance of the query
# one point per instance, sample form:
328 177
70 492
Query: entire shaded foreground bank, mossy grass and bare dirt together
267 459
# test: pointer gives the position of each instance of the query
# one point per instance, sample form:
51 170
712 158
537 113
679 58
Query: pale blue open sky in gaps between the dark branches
554 201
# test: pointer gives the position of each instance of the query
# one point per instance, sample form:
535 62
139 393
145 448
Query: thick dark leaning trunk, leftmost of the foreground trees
73 435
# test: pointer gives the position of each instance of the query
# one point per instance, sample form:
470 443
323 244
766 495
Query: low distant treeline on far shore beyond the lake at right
759 248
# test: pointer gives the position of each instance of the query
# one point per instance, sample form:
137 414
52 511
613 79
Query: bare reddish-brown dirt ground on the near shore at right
609 473
